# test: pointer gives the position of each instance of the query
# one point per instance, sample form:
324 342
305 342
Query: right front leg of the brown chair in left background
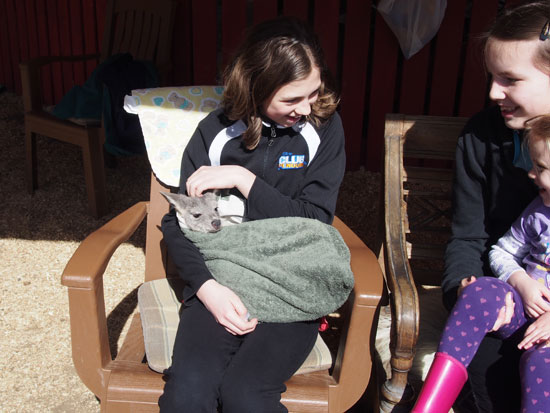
94 173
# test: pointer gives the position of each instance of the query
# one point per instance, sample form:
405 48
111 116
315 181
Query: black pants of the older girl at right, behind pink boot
493 379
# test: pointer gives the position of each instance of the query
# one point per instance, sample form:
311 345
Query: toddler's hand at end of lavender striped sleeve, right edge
535 295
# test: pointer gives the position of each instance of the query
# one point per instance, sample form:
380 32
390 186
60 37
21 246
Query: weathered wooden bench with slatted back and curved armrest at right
418 173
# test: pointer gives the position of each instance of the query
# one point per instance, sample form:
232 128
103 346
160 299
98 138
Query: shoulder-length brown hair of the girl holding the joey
273 54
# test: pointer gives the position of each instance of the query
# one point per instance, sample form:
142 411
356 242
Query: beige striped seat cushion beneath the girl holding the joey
159 307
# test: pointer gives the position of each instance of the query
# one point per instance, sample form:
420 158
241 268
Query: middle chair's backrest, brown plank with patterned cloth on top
168 118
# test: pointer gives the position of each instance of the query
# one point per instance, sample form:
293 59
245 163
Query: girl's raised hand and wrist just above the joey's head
220 177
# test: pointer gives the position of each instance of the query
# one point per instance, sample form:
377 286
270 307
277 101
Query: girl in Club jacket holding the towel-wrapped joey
278 143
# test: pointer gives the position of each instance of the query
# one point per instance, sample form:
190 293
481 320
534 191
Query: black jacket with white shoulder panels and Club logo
298 173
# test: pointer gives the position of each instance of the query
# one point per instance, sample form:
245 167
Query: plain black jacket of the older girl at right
489 193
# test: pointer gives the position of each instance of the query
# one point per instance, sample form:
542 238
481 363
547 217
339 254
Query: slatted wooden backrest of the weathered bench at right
418 173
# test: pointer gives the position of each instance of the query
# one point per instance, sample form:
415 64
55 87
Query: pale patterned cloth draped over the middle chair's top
168 118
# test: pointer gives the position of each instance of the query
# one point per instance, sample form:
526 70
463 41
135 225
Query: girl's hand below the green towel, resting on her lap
226 307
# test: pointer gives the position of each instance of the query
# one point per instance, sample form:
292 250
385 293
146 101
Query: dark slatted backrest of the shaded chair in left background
142 28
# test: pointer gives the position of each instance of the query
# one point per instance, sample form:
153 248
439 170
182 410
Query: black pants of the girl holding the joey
212 368
